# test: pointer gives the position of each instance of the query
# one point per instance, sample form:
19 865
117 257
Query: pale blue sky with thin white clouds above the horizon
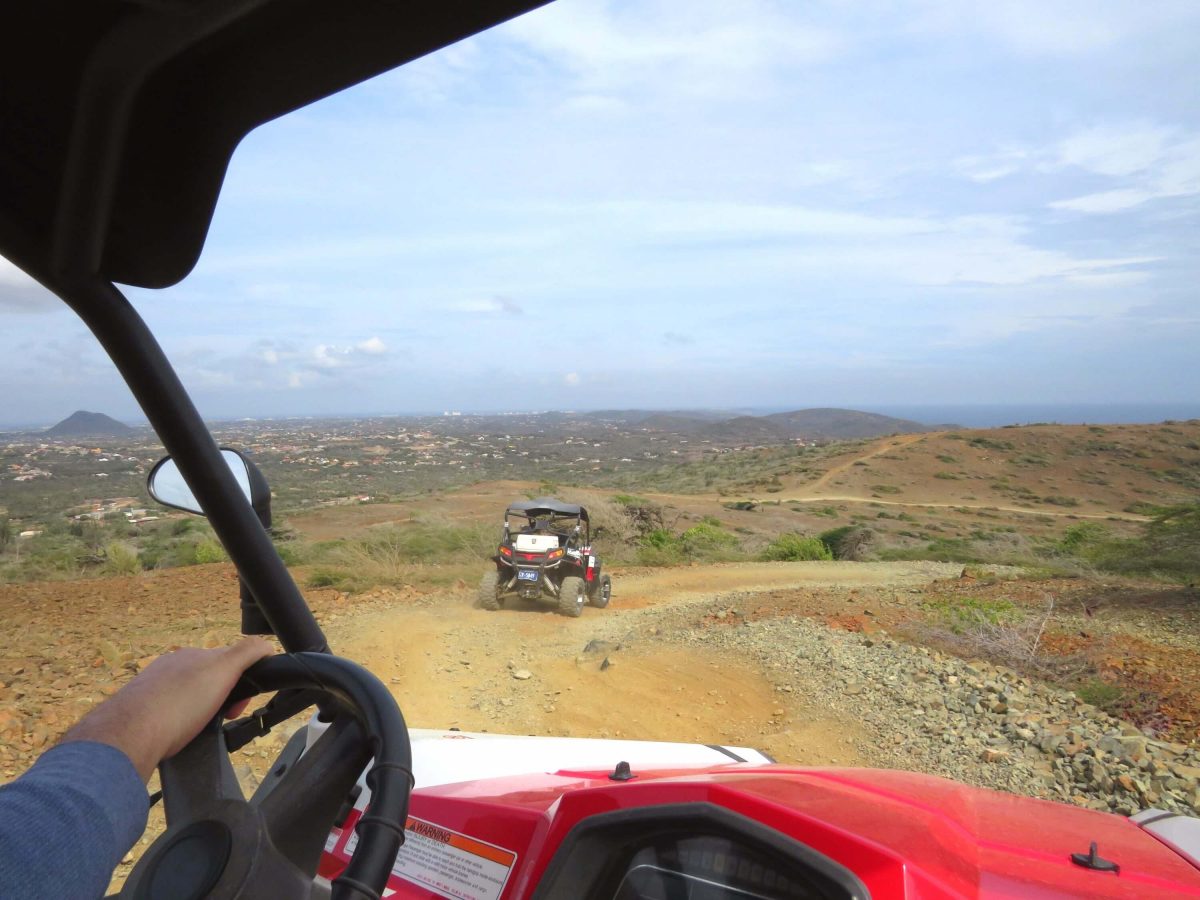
657 205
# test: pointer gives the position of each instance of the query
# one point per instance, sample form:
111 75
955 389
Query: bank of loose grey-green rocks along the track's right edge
968 721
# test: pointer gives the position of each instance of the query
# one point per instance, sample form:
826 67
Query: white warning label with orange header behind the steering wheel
449 863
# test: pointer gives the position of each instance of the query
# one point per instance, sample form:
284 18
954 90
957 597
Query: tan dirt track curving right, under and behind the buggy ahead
455 667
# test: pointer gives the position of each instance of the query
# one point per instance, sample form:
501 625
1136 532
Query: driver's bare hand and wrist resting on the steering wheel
157 715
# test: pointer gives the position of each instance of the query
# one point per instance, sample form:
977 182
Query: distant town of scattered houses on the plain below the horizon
322 461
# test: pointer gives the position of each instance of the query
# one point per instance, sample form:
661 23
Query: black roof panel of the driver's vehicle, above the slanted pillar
118 118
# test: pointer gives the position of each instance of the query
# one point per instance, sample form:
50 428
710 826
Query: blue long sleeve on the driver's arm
67 824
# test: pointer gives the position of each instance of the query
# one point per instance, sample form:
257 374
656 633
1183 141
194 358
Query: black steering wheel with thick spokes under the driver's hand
223 847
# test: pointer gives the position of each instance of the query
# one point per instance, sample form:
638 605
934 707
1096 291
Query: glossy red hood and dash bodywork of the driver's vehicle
904 836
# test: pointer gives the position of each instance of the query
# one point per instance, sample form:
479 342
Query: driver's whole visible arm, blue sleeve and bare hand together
67 823
